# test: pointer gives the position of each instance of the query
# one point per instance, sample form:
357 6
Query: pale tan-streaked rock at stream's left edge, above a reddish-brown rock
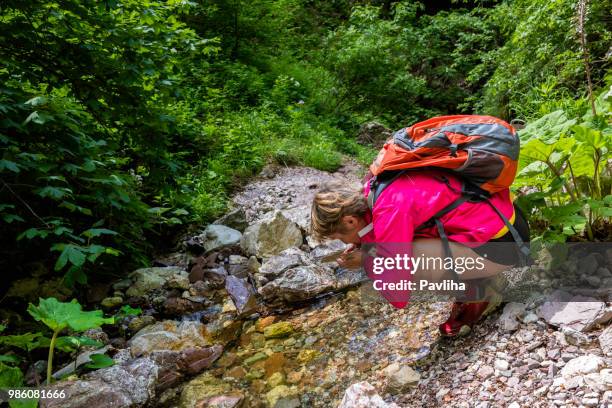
168 335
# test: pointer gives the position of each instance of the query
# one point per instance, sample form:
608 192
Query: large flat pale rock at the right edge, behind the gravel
577 312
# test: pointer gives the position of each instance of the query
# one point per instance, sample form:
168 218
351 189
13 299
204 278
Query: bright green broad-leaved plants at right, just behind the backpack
563 168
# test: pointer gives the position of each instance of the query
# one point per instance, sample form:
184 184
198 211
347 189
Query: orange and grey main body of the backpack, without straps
482 149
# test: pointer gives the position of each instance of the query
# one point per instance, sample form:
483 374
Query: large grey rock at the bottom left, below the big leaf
130 385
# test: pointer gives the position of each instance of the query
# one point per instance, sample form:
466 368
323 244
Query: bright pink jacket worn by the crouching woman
414 198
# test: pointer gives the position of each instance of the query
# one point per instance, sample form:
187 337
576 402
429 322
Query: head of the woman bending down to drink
338 213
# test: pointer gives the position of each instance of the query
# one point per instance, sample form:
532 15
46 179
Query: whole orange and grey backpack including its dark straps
483 150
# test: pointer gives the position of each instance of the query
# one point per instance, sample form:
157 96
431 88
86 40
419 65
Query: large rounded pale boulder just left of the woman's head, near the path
271 235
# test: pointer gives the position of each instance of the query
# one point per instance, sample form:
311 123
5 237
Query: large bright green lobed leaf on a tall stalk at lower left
60 315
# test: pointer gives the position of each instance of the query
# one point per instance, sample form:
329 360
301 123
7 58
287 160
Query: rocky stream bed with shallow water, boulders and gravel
251 312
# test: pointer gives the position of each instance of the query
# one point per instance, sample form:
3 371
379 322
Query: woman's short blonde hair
332 202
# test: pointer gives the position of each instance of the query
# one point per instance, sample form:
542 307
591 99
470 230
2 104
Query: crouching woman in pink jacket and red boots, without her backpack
339 212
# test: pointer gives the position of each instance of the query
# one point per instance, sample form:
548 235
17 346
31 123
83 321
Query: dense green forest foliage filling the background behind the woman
121 122
